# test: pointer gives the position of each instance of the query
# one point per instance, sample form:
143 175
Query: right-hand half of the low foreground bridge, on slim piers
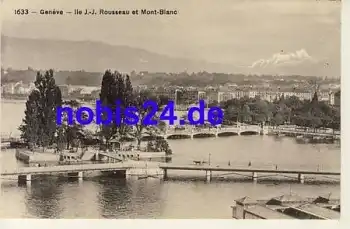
254 172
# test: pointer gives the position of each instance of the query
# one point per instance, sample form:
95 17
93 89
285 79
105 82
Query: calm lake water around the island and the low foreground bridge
98 197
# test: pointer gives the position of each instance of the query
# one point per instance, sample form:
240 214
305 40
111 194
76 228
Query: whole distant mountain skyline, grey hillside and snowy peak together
91 56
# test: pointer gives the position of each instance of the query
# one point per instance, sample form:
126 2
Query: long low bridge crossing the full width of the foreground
142 168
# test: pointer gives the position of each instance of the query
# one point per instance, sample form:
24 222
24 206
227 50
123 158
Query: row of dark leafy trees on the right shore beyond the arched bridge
291 110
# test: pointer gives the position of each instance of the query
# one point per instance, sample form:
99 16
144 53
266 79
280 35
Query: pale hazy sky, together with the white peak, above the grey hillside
248 33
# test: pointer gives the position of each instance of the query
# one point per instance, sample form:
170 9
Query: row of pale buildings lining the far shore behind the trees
185 95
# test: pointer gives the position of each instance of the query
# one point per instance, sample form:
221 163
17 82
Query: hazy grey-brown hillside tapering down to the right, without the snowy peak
20 53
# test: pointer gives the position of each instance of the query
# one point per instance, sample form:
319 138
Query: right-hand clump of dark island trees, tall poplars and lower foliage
118 87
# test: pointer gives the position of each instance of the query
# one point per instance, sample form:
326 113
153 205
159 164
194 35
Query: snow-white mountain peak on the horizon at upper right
284 59
